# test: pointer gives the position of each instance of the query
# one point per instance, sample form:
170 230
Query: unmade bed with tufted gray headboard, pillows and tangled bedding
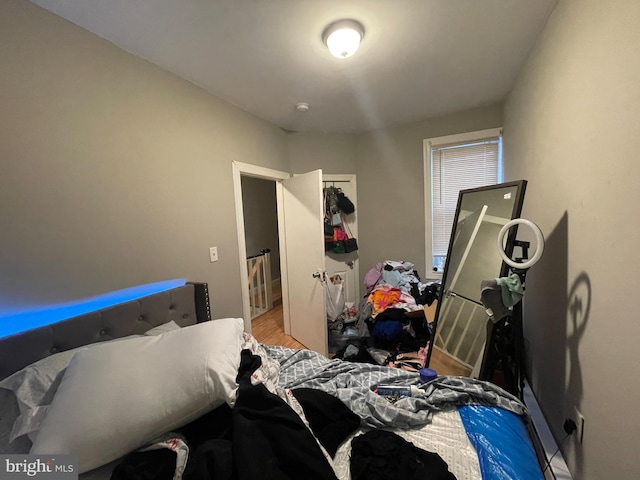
154 388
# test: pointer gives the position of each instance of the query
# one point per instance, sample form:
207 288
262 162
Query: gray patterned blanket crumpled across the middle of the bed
352 383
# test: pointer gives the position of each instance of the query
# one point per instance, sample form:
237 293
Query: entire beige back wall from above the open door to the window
390 177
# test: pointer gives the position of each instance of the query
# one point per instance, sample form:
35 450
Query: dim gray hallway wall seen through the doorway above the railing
261 219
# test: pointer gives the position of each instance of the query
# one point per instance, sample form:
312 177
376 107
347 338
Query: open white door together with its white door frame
301 242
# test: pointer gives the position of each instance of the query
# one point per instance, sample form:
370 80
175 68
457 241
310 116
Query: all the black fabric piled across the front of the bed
263 437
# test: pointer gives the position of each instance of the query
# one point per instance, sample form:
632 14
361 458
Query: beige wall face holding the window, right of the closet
391 187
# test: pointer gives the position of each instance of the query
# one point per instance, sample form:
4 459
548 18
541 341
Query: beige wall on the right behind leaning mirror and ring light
571 128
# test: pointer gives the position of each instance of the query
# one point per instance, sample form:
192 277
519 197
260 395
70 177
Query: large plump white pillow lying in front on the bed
115 398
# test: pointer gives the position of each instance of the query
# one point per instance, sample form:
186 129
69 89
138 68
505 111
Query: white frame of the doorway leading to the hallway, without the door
248 170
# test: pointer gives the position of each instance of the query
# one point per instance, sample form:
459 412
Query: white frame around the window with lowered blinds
428 144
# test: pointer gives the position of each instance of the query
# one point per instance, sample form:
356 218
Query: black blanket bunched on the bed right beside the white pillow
262 437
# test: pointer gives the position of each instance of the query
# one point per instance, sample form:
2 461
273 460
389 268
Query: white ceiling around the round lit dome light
418 59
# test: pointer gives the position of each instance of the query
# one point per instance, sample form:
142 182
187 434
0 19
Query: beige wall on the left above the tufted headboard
113 172
